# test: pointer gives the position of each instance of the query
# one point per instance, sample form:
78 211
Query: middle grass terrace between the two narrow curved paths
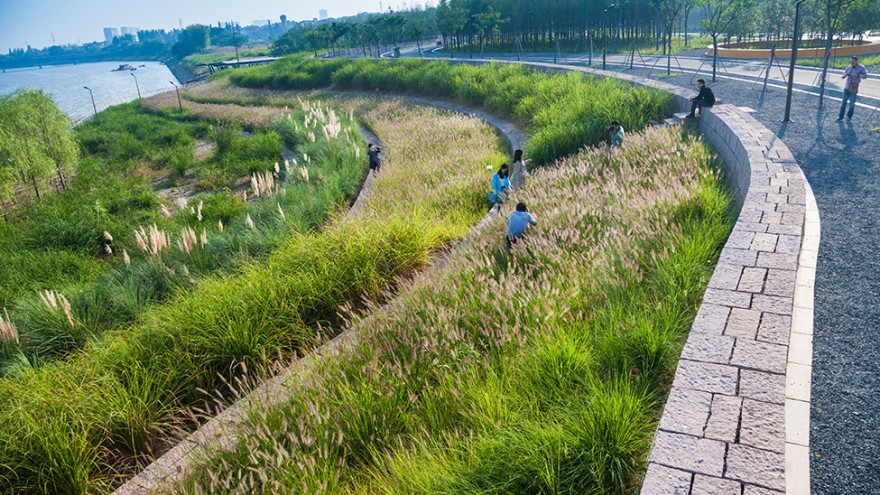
72 426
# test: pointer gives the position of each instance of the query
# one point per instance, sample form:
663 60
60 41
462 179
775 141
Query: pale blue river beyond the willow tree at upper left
65 84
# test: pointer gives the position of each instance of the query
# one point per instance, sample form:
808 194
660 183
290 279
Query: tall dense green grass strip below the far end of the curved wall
566 111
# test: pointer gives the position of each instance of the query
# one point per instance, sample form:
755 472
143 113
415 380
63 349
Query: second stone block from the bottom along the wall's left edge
698 455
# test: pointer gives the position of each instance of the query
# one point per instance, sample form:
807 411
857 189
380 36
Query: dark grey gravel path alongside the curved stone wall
842 163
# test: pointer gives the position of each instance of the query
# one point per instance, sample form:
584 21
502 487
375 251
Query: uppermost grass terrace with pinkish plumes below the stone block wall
536 371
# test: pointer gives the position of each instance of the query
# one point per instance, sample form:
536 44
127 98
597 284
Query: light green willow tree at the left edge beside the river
37 142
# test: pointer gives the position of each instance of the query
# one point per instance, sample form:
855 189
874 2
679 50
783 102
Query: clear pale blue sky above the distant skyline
34 22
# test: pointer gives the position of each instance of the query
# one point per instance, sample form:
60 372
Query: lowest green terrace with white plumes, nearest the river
82 244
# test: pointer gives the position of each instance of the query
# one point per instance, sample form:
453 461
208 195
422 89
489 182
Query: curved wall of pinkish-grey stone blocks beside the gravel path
737 418
